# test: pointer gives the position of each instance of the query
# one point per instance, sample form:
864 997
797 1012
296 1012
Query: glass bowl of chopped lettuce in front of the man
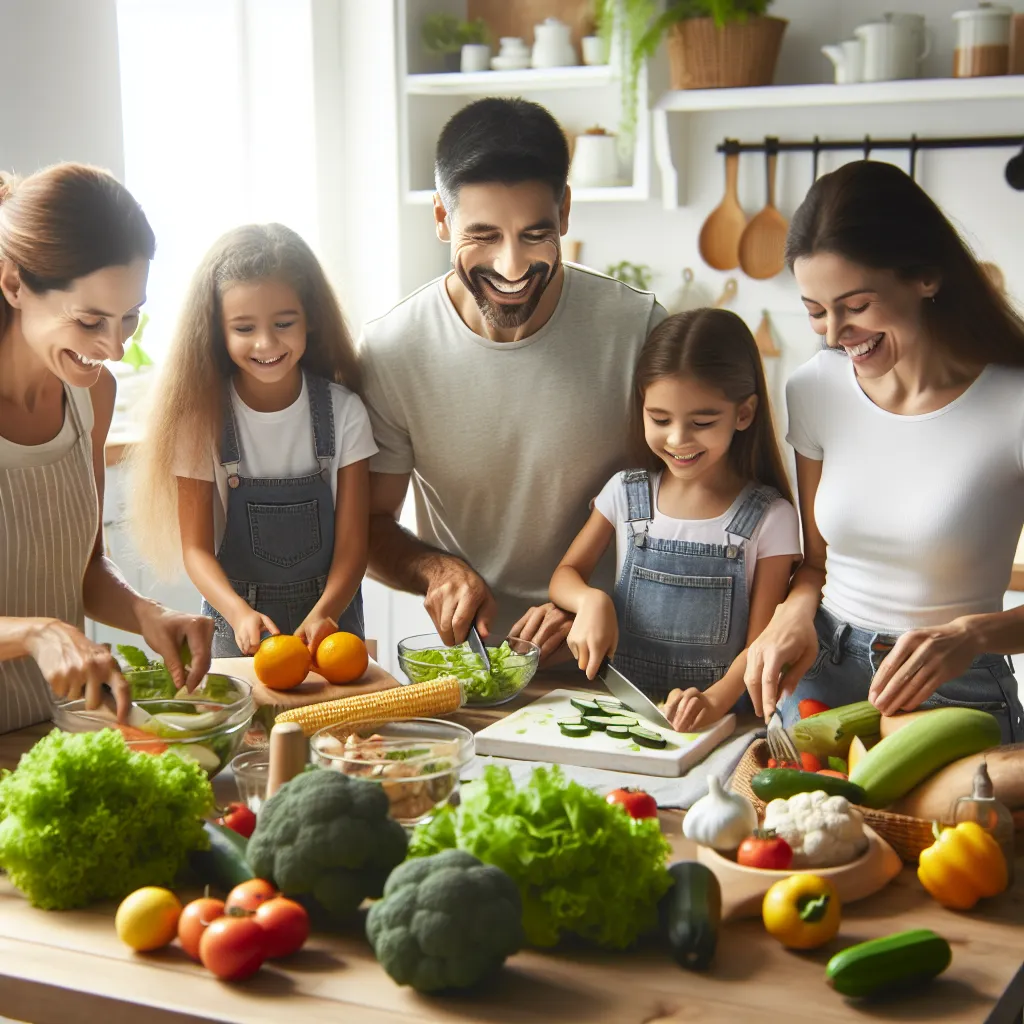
514 665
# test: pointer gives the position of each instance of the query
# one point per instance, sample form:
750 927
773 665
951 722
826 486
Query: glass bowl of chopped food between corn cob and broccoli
417 761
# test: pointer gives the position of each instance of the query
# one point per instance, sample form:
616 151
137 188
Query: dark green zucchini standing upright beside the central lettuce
691 913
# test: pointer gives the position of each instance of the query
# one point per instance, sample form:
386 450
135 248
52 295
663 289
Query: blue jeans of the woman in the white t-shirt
849 657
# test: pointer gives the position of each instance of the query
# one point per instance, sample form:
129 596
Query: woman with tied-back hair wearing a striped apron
75 252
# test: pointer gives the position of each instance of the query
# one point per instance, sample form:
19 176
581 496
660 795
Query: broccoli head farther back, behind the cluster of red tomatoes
326 839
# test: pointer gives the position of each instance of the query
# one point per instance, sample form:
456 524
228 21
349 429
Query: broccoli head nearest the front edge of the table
446 922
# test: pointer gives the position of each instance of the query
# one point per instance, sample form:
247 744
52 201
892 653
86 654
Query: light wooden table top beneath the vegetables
56 968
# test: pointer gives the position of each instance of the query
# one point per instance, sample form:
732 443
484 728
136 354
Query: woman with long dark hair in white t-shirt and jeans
910 438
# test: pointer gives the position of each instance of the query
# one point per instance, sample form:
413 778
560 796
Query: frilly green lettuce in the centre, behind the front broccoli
583 866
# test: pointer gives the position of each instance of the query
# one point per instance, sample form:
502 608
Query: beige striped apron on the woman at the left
49 523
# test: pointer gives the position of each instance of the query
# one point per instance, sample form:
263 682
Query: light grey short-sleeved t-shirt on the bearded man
507 443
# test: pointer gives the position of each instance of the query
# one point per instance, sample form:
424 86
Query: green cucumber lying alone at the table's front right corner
897 962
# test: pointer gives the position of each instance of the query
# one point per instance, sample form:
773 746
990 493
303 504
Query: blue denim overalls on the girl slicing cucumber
682 606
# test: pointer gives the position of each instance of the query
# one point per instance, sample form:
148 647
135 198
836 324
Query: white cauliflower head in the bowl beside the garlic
824 831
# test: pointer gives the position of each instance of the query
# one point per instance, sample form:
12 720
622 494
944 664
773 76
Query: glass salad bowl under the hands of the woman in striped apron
207 727
